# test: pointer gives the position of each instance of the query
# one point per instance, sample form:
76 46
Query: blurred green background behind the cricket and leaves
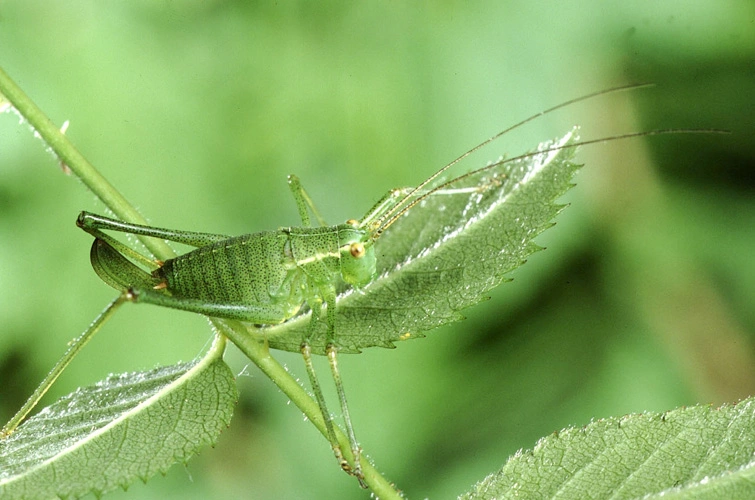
198 110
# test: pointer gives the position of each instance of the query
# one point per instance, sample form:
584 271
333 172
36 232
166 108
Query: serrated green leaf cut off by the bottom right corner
696 452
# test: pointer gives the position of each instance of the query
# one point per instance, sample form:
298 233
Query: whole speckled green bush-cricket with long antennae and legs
269 277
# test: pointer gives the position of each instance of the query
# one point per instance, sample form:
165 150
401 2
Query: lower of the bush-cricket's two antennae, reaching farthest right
395 217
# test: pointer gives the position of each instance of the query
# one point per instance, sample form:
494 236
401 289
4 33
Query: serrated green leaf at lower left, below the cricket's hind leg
124 428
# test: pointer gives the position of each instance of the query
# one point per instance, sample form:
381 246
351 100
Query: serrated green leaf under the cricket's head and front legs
444 254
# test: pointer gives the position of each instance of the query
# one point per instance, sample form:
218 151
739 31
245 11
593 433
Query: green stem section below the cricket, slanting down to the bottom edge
255 348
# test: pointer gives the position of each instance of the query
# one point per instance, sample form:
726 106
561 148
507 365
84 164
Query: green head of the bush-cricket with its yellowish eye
357 254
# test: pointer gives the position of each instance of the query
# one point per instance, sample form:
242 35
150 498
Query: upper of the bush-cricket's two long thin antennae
399 209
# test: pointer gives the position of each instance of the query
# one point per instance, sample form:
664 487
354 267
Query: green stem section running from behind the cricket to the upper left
73 159
